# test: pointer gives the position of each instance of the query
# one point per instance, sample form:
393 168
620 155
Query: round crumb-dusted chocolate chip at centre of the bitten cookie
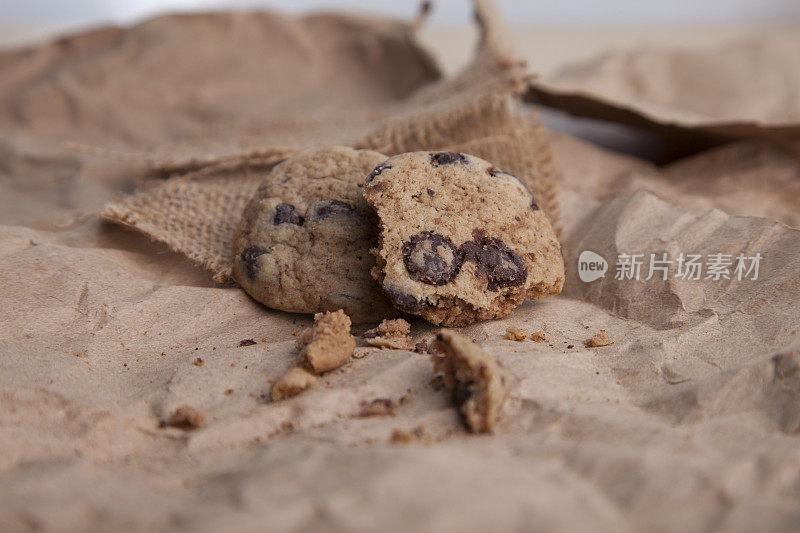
431 258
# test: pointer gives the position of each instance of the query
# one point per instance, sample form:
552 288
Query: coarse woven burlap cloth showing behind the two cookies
197 210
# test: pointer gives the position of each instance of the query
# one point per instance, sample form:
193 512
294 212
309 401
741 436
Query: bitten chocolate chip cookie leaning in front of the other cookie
460 240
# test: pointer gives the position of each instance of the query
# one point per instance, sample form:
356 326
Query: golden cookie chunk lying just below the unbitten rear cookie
328 344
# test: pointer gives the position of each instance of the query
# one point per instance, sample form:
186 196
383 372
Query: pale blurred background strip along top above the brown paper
24 20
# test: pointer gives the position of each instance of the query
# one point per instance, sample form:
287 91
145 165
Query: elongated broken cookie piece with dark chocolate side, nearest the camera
475 379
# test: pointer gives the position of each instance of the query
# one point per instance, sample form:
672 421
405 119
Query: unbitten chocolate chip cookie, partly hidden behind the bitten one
305 237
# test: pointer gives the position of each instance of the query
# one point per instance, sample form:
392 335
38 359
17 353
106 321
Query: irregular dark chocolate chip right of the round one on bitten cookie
502 266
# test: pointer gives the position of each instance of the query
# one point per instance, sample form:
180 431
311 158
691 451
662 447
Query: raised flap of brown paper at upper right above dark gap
738 89
